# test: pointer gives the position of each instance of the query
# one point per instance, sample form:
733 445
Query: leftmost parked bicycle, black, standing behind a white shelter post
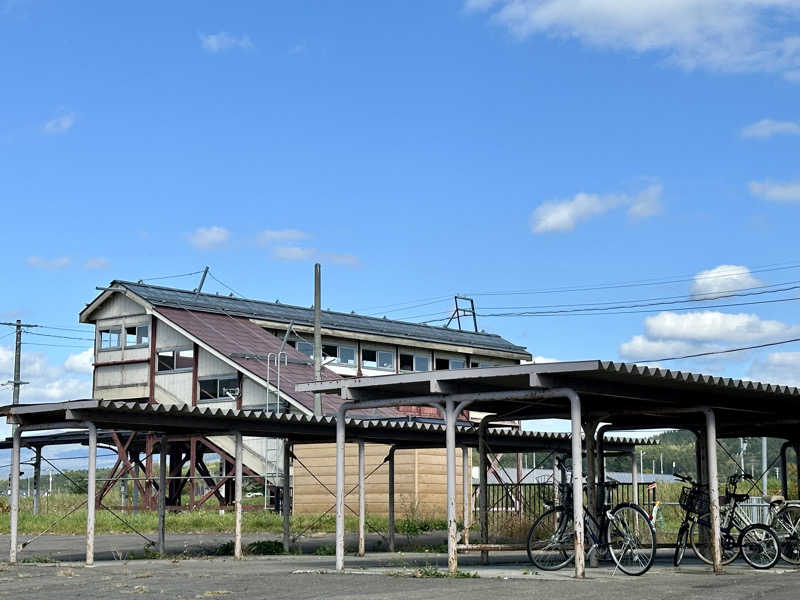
625 532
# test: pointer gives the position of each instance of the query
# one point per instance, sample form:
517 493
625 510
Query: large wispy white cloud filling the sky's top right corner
717 35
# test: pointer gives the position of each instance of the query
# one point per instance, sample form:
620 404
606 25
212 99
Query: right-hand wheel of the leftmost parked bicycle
631 539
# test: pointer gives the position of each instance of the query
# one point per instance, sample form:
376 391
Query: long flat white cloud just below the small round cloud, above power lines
714 326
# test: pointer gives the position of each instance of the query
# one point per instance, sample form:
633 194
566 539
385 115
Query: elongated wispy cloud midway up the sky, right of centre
564 215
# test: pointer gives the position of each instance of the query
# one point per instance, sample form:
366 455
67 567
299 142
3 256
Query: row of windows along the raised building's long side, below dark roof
383 359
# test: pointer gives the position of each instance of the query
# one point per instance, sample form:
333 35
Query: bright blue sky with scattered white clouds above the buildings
526 153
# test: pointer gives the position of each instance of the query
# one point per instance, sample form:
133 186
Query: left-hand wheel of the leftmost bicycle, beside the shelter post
551 540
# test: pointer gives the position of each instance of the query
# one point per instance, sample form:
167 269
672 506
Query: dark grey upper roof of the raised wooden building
283 313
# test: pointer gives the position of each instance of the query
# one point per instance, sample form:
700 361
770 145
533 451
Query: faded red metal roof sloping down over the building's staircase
235 336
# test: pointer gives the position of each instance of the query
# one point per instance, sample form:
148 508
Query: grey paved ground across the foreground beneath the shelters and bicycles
376 576
